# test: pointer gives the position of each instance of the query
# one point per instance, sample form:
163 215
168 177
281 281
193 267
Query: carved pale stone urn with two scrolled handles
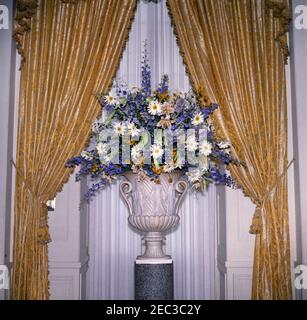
153 208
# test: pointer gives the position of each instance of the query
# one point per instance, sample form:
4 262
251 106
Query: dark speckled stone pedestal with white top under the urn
154 280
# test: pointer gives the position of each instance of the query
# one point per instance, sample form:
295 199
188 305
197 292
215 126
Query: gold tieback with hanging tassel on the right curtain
256 226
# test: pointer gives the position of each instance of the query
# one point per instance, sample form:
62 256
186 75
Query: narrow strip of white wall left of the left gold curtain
7 101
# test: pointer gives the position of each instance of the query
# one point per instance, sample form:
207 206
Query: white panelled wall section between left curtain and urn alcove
68 251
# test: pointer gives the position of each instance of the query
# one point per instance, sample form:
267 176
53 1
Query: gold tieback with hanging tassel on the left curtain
43 232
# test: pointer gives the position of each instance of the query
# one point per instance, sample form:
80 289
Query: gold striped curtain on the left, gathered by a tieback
71 50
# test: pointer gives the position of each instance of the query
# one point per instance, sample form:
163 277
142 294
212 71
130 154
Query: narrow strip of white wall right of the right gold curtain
298 41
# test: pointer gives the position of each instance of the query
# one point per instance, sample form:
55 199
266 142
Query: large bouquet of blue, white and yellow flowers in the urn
142 118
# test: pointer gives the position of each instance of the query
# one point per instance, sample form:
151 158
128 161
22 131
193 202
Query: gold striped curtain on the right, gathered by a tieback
235 52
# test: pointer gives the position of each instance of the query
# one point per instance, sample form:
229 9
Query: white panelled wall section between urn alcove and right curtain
234 244
